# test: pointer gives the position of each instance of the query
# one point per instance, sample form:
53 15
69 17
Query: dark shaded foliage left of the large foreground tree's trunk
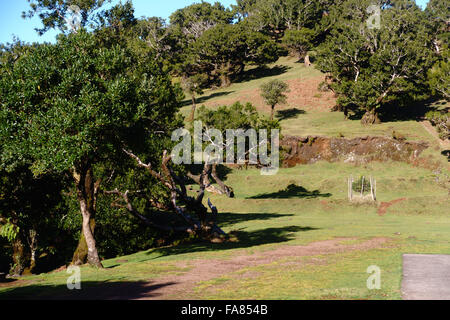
33 207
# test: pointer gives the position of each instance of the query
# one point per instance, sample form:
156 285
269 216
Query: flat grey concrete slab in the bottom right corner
426 277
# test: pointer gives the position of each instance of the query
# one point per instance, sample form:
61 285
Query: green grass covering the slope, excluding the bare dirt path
263 220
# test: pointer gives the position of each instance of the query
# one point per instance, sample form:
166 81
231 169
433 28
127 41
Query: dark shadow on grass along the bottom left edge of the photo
90 290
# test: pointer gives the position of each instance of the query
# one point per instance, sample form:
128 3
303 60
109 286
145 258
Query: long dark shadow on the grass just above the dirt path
244 239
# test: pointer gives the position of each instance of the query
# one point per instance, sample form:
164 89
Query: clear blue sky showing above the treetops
11 22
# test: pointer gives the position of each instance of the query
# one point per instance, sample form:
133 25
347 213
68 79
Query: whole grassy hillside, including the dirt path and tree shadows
294 235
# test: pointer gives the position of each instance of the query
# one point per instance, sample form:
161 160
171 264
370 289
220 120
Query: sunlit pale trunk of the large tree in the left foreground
86 197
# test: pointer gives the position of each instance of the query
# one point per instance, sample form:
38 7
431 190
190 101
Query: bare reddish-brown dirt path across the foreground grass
181 286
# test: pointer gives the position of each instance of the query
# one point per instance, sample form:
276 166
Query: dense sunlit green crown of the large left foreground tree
80 100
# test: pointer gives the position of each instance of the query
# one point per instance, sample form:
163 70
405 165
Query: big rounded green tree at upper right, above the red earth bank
373 67
